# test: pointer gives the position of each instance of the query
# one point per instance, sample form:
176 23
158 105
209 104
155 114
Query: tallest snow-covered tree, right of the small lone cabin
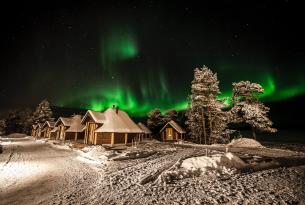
206 121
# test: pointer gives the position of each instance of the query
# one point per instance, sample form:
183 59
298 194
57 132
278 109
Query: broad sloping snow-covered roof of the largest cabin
118 121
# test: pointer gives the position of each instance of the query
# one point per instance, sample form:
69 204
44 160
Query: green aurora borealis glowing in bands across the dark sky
139 92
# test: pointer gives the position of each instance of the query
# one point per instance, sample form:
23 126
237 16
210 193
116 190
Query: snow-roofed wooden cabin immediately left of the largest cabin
76 130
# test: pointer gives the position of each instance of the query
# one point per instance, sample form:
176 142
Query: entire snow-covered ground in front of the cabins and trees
45 172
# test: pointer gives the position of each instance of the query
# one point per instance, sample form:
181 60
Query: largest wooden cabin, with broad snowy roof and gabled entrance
111 127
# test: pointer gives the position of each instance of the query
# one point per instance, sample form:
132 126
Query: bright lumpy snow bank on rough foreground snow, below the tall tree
225 164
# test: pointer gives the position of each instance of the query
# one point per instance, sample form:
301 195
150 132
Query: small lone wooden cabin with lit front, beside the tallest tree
172 132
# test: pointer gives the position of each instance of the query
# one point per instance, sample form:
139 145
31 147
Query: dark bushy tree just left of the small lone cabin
155 120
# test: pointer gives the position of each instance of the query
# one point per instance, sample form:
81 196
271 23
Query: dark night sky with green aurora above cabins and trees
141 55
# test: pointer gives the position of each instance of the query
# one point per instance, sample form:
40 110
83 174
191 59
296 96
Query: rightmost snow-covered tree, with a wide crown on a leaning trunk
248 109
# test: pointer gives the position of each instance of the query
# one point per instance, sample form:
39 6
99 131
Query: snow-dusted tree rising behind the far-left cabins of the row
43 112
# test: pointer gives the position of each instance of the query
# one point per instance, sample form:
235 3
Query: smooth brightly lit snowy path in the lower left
35 172
